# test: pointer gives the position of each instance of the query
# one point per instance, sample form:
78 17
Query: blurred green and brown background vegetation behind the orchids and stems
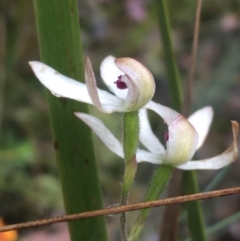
29 185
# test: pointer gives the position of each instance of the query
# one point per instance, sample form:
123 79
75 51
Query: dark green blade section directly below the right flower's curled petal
195 216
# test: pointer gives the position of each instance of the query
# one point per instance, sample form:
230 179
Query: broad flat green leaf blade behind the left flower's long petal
60 47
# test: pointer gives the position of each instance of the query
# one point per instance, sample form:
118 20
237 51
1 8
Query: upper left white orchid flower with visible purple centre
133 88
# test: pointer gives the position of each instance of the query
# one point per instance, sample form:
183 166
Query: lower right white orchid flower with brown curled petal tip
184 137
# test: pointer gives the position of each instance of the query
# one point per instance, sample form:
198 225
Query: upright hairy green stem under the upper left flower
130 144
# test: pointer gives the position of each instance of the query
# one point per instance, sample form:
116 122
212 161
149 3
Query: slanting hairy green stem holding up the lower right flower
157 184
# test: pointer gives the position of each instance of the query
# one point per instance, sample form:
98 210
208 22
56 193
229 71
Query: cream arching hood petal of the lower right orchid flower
183 138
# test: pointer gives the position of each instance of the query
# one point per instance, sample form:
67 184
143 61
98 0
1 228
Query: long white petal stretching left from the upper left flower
63 86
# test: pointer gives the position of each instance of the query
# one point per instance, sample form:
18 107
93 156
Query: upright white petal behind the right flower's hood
201 121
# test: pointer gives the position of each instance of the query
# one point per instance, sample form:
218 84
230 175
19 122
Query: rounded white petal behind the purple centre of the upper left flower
110 73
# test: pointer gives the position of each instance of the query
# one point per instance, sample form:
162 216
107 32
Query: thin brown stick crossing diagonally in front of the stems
125 208
